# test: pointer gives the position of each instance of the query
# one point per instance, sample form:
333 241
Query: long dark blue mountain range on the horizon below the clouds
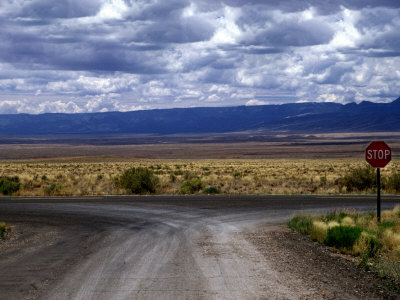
290 118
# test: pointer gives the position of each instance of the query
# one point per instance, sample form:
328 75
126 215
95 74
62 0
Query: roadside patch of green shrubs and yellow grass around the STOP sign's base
376 244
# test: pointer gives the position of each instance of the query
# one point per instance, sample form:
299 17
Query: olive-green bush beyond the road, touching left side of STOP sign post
360 179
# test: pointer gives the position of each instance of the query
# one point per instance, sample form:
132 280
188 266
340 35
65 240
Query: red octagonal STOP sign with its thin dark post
378 155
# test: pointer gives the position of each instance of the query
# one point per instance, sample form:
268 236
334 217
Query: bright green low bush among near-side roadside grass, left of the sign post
342 236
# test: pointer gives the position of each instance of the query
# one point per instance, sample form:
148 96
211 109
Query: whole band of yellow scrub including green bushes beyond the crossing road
209 176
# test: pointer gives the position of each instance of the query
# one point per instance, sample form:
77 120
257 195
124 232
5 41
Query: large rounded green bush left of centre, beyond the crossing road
138 181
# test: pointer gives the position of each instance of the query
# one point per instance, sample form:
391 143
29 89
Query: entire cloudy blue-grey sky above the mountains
77 56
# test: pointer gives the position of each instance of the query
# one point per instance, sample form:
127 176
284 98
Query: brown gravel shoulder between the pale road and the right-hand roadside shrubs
325 273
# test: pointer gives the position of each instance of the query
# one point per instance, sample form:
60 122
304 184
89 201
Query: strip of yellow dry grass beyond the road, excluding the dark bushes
233 176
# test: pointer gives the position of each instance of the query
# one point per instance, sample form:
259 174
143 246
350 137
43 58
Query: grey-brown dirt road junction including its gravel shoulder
167 247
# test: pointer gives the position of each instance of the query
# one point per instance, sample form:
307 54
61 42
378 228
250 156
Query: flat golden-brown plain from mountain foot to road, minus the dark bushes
299 164
